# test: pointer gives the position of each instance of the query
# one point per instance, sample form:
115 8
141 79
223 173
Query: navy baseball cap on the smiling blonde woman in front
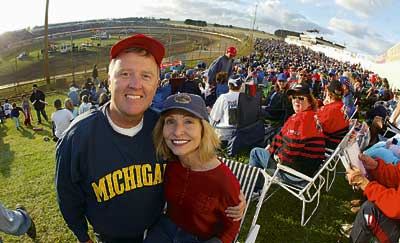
191 103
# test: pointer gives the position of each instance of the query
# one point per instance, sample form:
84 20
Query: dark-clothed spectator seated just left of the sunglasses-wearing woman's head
278 104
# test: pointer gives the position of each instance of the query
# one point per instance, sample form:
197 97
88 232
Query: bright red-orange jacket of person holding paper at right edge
384 189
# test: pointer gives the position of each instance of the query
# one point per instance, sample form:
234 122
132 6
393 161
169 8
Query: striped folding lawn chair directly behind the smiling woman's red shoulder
247 176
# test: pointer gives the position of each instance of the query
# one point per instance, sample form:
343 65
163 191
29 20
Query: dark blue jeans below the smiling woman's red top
166 231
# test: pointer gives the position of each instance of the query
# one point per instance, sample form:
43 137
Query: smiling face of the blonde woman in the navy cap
182 133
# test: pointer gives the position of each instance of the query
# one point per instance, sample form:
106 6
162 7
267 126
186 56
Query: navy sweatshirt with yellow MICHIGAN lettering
111 180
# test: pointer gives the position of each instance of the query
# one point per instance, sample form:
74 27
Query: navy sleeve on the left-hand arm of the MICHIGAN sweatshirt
70 197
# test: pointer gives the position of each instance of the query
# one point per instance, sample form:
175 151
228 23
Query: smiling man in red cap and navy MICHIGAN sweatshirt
107 171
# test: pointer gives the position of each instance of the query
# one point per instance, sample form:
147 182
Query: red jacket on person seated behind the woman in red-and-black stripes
334 122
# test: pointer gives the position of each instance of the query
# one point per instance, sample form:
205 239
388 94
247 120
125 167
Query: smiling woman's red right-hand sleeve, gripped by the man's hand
230 227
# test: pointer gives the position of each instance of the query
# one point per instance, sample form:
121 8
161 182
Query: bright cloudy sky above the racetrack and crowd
363 26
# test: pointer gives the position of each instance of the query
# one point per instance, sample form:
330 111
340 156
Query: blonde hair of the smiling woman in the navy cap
208 147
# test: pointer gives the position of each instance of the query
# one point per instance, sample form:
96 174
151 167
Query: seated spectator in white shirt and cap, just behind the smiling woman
223 113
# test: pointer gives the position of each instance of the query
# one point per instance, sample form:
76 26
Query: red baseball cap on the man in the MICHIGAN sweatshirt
151 45
